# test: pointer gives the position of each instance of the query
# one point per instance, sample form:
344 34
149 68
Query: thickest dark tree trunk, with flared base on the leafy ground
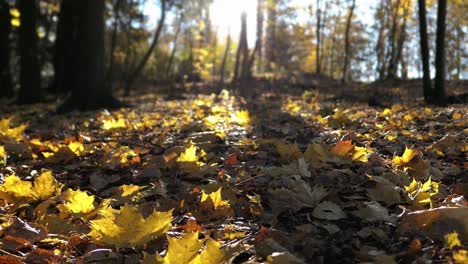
89 91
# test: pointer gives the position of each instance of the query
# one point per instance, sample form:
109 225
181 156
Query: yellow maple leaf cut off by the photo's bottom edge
186 250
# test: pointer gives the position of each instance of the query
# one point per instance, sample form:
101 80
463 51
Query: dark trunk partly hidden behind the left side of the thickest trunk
64 48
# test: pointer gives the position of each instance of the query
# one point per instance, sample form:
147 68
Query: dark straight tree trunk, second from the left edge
30 73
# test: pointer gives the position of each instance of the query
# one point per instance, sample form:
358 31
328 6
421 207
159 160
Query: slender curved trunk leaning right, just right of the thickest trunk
154 43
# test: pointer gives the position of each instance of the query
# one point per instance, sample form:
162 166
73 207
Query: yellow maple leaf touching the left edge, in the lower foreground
16 190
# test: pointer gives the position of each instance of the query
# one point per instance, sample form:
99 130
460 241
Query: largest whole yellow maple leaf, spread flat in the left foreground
127 227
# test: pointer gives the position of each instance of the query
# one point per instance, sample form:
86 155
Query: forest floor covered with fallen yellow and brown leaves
211 179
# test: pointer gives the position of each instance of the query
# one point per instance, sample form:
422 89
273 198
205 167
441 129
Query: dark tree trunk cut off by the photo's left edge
6 88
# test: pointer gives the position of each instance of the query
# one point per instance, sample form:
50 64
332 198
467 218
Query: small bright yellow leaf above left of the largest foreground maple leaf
76 202
